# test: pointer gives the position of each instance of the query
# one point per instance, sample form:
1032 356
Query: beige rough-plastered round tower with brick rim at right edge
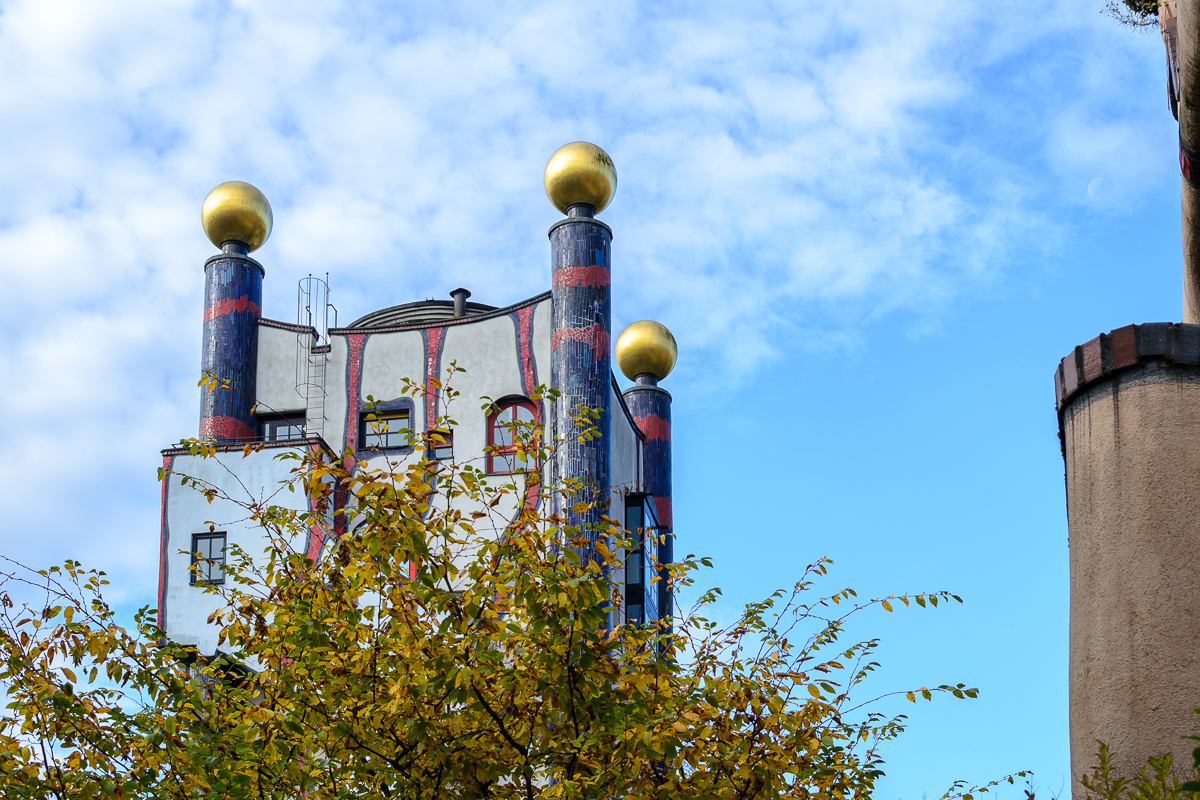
1130 406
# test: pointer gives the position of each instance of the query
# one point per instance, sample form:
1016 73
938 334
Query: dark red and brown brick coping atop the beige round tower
1125 347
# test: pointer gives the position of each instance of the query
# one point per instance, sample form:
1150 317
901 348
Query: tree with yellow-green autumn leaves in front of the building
439 652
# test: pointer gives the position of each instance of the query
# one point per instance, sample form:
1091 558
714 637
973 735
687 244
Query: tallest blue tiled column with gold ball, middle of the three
580 181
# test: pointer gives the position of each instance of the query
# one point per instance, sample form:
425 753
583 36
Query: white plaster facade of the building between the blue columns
505 352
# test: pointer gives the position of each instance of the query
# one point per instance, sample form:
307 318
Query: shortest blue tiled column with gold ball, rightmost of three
646 353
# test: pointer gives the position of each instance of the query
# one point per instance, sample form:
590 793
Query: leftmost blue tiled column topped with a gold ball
238 220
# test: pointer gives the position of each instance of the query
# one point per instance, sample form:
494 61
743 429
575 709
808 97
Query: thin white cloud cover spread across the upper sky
789 175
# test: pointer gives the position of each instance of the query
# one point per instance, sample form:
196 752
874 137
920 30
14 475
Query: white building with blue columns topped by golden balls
310 386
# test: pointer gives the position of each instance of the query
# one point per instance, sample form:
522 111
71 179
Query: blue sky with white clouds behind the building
874 230
